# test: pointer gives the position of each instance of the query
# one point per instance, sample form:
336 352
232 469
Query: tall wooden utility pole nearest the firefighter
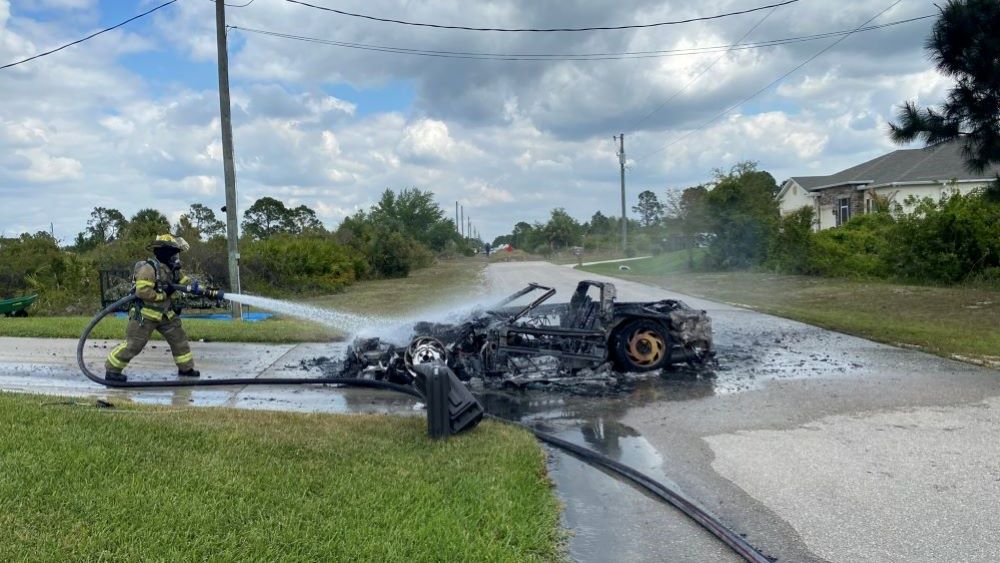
228 162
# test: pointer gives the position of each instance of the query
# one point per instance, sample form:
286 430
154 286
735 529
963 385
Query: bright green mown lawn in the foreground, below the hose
154 484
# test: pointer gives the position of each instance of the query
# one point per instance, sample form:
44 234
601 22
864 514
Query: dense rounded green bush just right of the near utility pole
296 264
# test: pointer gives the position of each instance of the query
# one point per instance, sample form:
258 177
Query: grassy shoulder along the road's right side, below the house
961 322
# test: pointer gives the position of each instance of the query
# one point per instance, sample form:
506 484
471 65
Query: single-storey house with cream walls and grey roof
925 172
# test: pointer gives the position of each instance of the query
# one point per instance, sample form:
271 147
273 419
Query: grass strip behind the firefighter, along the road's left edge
446 280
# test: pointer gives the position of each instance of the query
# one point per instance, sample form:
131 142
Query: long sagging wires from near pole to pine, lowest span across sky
573 56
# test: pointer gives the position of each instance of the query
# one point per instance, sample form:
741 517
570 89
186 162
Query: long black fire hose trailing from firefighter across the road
661 491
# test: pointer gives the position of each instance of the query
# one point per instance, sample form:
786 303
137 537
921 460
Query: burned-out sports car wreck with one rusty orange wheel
592 336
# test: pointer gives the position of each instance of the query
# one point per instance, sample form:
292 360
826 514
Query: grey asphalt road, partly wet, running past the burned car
816 445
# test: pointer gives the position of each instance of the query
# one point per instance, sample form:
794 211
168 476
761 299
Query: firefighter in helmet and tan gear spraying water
155 281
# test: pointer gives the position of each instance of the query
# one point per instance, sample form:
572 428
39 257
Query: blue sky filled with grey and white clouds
130 119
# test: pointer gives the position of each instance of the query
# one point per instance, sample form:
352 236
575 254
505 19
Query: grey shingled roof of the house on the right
940 162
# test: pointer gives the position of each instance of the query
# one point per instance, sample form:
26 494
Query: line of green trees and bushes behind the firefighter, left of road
283 249
